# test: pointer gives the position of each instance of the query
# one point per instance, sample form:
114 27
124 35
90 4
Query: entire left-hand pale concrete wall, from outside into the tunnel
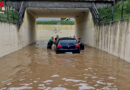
12 39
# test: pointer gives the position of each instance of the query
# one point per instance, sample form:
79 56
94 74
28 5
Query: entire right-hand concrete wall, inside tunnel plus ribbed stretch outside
113 38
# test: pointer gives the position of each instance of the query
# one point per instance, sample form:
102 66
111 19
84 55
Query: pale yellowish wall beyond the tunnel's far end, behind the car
44 32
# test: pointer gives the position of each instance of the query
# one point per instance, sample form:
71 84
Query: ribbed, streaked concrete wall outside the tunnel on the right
114 38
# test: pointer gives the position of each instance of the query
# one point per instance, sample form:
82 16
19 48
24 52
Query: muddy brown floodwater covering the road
35 68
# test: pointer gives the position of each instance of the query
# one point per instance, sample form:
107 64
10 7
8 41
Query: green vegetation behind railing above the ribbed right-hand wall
121 10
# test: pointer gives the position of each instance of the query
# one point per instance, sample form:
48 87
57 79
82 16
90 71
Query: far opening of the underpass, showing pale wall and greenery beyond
47 27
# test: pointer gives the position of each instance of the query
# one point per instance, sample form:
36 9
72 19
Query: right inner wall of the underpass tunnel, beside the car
85 28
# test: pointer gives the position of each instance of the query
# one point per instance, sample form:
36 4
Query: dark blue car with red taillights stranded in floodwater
67 45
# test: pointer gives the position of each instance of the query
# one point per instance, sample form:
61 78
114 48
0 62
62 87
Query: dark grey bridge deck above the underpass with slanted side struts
22 5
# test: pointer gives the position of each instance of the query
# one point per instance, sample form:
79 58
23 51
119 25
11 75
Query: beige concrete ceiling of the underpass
56 12
